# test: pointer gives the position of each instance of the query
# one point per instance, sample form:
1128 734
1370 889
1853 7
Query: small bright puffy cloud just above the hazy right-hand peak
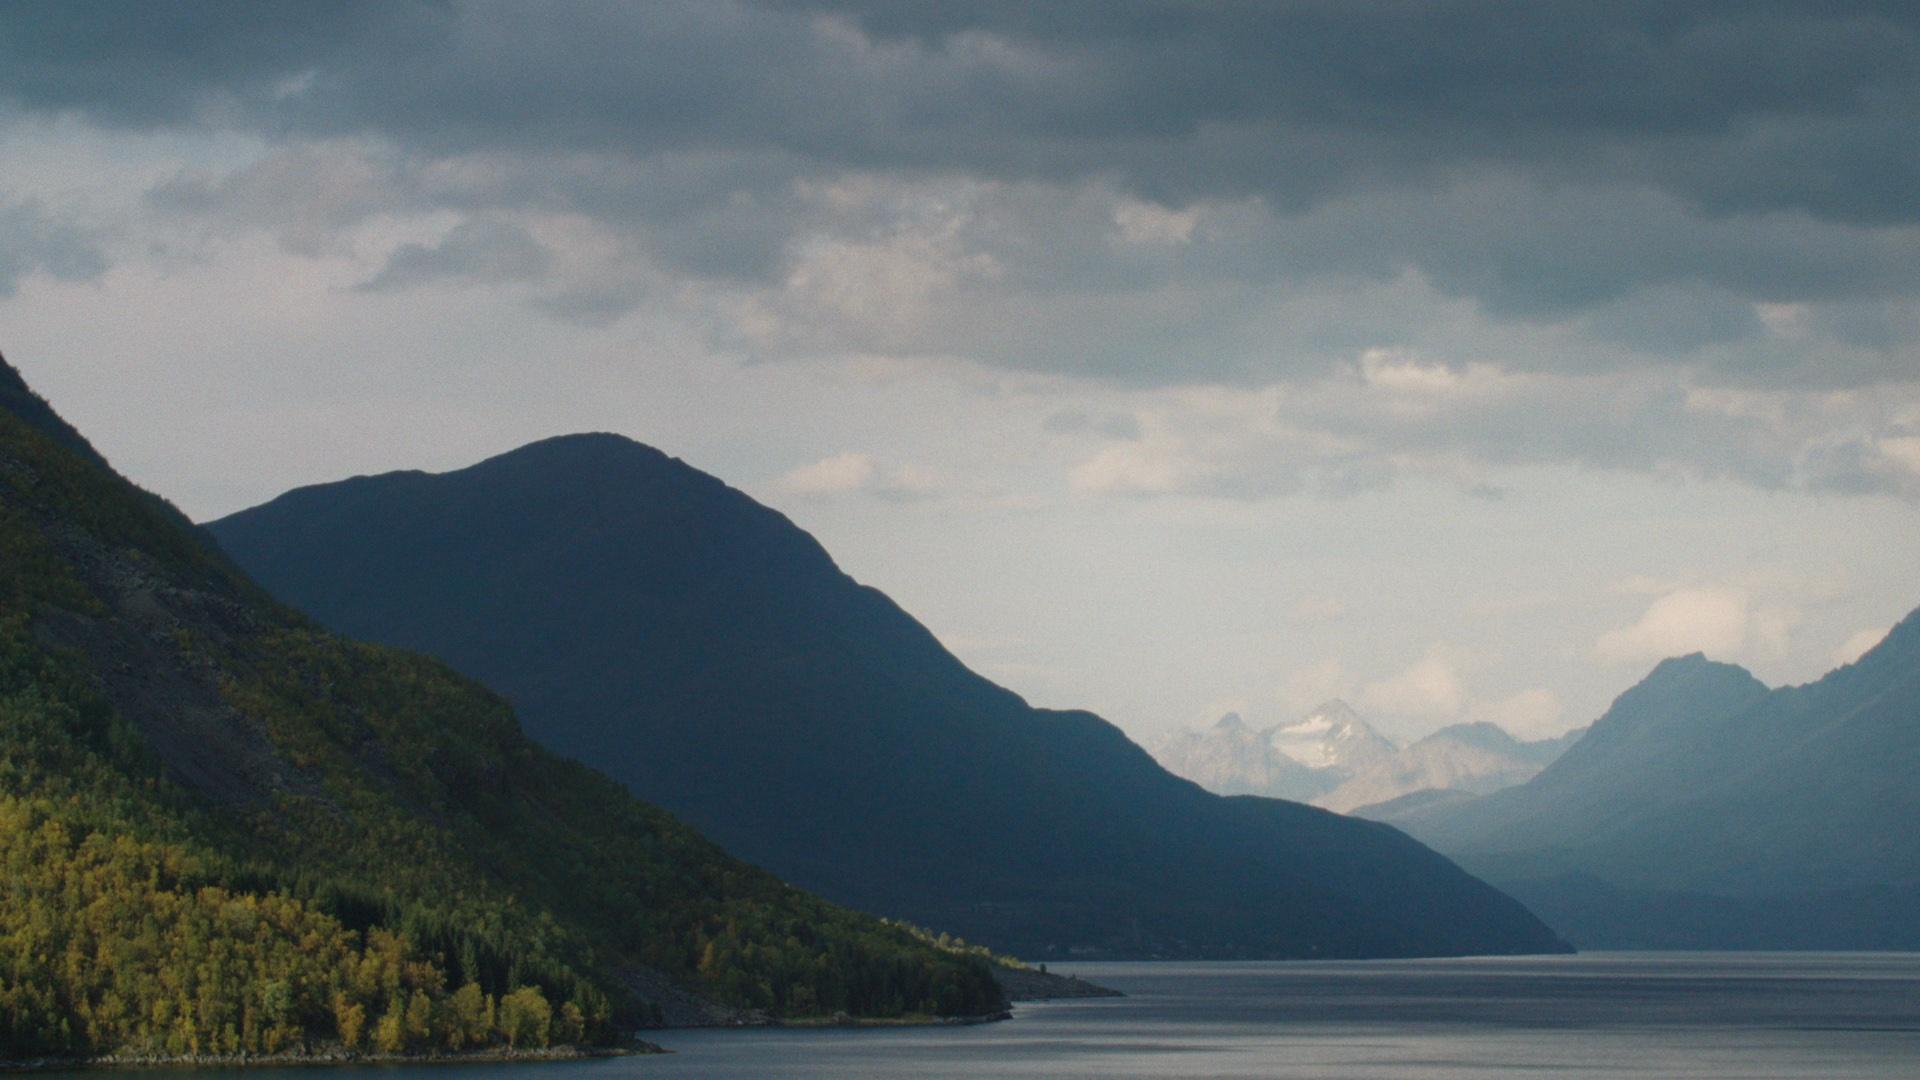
1719 622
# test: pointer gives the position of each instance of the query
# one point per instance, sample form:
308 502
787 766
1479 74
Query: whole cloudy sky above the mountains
1164 358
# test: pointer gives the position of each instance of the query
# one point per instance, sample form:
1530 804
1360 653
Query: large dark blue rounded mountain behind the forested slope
709 654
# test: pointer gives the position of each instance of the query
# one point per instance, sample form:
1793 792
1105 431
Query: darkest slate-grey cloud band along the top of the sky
1735 107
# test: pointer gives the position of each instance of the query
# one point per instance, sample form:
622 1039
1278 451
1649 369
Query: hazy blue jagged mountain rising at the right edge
1710 812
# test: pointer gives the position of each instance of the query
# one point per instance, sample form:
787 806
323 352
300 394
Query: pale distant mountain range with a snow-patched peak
1339 762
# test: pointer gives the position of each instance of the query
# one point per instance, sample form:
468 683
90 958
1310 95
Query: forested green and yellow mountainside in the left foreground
231 833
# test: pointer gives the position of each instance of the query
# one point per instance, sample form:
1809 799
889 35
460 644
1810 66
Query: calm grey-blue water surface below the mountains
1598 1016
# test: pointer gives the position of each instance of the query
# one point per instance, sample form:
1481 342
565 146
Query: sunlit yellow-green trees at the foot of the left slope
103 948
